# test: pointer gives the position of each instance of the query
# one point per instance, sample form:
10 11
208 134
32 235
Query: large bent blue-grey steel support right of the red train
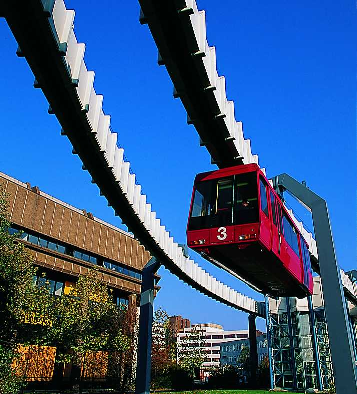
341 344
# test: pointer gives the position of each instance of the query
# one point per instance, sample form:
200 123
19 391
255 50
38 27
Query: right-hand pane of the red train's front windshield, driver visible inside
246 199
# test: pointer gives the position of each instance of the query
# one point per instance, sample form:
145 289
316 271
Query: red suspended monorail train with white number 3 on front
238 222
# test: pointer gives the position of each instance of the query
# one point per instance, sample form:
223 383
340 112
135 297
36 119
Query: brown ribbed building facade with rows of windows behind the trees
66 242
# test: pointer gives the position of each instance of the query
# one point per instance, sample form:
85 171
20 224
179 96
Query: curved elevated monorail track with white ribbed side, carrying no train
70 63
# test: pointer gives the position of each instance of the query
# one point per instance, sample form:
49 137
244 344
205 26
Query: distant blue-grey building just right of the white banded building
230 351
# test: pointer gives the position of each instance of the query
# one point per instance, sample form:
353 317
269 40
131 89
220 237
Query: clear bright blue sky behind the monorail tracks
289 68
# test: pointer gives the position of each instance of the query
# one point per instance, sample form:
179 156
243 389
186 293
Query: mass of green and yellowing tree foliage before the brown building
80 324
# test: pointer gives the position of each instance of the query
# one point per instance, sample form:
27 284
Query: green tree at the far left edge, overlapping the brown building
19 301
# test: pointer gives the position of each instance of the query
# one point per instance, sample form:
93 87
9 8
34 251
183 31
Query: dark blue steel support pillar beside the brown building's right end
143 368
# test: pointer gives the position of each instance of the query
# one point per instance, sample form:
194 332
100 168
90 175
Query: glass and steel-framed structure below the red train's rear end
298 341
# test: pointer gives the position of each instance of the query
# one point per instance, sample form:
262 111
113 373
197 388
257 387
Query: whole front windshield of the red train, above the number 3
225 201
